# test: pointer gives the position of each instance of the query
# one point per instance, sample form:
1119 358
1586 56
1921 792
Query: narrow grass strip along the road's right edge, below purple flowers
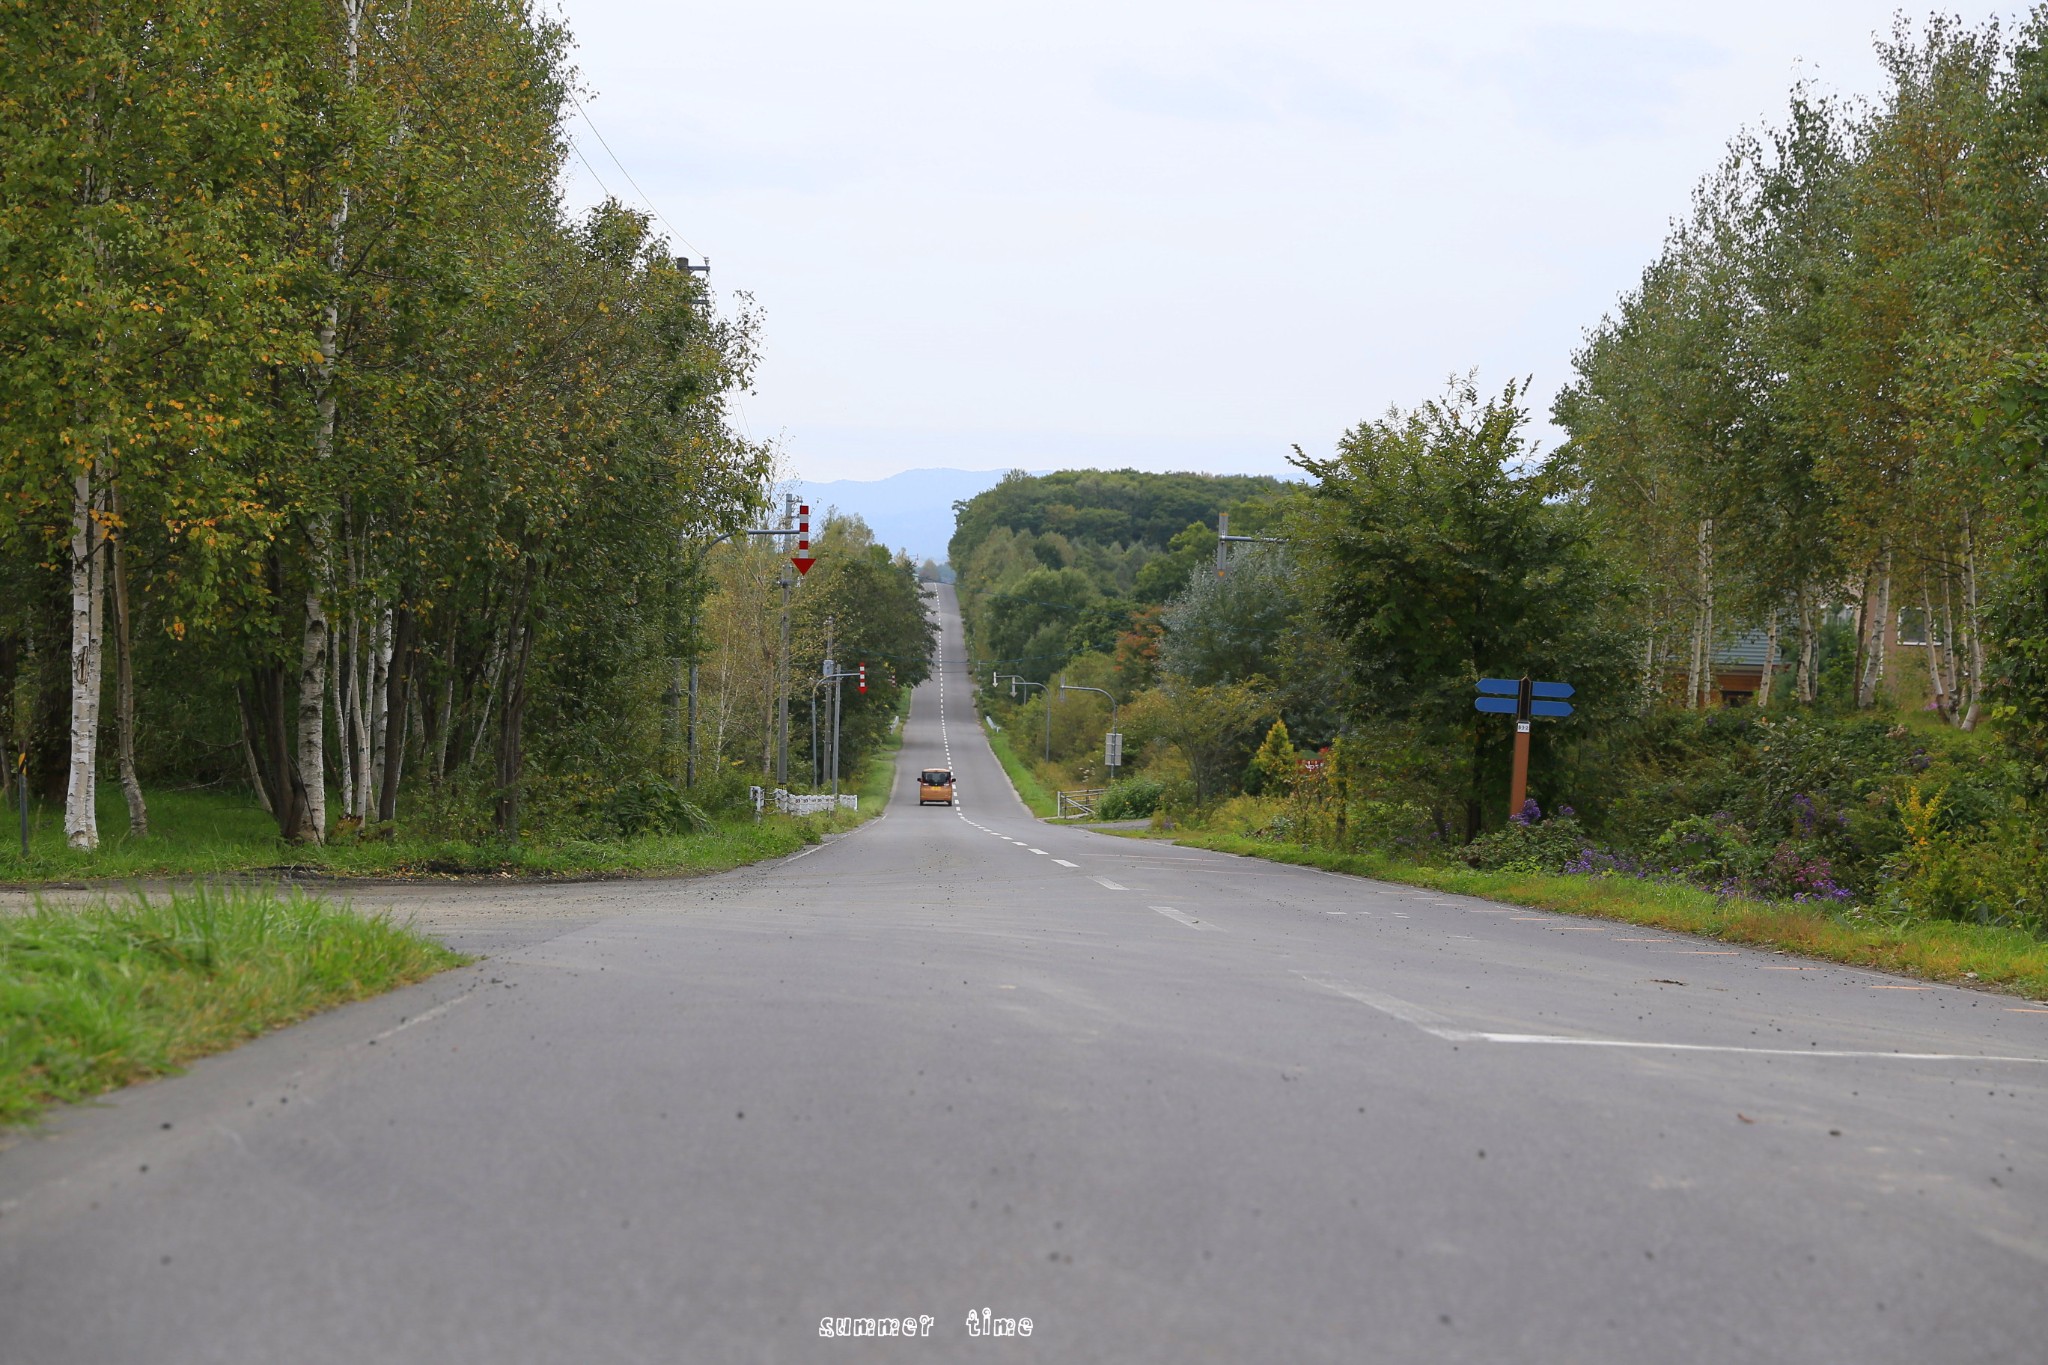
1934 951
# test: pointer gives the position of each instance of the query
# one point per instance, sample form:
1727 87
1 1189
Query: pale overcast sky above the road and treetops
1170 234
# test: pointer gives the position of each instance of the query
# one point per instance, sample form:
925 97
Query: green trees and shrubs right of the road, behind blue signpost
1791 552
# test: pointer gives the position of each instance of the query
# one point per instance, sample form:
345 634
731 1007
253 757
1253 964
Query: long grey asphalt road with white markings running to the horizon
1166 1104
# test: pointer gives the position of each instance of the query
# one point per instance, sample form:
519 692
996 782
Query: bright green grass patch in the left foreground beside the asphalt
93 1000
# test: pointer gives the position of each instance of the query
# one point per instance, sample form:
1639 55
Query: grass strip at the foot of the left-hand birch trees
212 834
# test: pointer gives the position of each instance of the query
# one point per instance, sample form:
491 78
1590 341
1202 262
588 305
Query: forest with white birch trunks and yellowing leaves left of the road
341 470
